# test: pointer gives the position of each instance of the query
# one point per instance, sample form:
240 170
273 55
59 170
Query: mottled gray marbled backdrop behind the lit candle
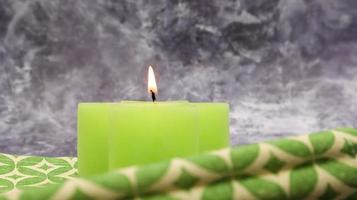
286 67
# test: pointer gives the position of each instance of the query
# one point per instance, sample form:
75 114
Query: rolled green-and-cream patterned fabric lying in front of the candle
318 166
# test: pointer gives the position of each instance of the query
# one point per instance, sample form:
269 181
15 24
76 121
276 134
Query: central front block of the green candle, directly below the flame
145 132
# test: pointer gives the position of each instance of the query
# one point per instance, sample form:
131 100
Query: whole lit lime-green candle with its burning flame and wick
114 135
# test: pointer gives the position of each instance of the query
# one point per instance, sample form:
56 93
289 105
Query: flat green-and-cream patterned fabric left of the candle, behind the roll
26 172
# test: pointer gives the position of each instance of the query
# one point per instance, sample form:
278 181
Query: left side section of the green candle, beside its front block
92 132
